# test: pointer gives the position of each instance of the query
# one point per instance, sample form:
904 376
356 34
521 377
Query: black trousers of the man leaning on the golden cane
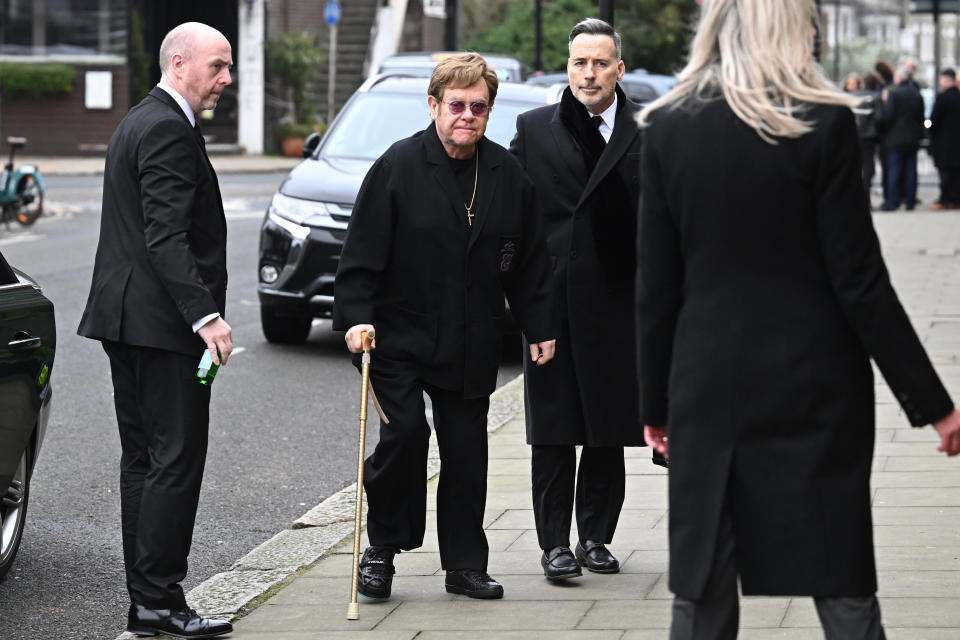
394 475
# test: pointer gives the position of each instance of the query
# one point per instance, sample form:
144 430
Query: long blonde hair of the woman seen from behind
759 54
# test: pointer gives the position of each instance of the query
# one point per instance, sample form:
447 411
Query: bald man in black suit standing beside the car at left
156 300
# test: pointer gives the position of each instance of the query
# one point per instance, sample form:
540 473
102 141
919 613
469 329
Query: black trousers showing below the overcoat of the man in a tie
600 483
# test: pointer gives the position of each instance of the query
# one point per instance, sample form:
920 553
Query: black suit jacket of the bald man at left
161 261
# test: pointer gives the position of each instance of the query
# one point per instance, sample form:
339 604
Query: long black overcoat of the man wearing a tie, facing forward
597 308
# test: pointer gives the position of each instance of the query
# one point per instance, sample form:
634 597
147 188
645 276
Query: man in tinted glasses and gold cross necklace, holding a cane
444 226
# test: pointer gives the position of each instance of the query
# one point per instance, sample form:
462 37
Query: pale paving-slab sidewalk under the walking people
916 511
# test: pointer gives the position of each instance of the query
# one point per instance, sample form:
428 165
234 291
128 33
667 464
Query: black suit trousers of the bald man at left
163 416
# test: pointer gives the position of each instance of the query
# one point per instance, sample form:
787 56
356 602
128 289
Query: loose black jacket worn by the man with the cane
432 287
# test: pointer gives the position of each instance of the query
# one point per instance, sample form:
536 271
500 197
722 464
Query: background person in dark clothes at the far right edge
945 140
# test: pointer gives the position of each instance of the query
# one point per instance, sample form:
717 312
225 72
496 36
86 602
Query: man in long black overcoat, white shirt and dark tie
583 157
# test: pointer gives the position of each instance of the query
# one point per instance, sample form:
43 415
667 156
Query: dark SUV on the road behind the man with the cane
306 222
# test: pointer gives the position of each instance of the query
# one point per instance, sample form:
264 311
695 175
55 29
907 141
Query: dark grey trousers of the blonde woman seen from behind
716 615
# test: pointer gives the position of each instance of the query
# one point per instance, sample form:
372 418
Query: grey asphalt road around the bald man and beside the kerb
282 431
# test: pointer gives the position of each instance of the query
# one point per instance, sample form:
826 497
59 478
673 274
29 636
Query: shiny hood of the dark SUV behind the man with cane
326 179
